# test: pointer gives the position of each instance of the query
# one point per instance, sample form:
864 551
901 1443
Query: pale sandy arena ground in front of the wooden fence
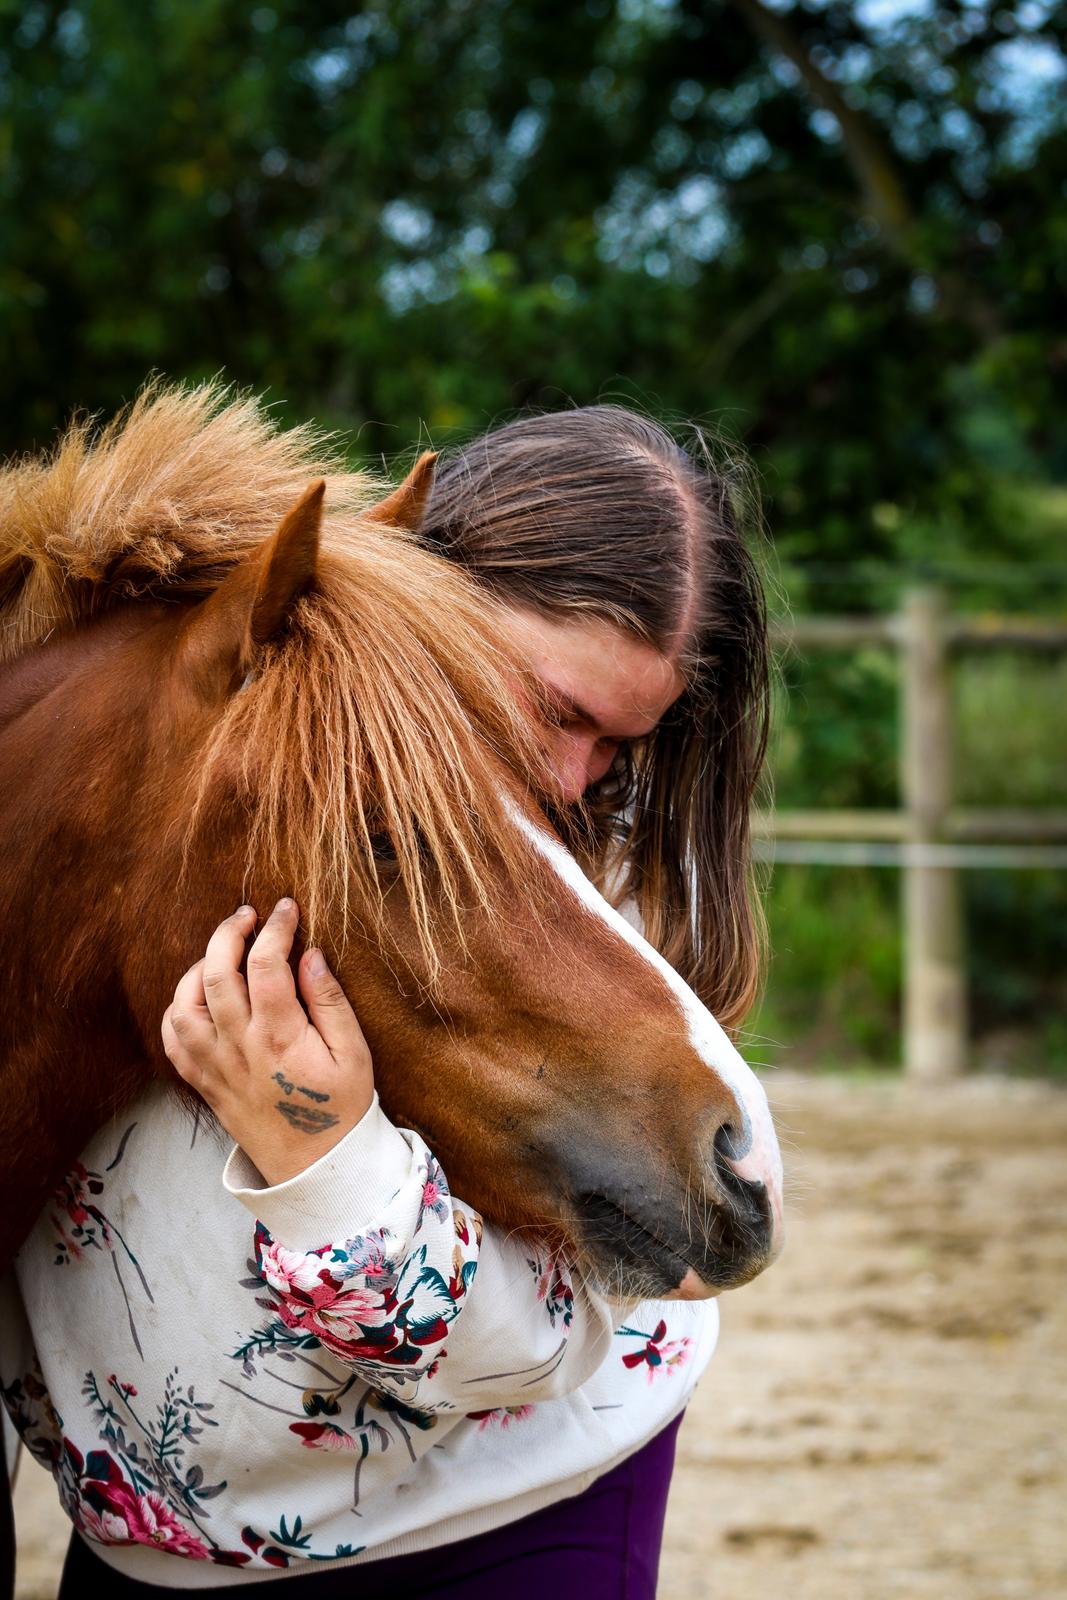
887 1412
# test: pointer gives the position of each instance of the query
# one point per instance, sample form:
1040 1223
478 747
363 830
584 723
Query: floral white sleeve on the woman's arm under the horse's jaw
369 1255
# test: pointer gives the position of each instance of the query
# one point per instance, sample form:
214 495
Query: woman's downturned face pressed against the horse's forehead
605 687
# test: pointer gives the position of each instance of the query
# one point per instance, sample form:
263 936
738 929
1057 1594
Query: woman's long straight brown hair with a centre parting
601 511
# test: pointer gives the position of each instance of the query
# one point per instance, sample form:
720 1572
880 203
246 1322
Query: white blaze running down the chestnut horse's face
757 1158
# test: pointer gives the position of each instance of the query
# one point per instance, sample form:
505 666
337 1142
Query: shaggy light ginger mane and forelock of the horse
383 714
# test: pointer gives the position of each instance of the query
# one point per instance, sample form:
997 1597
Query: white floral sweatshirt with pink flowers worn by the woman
231 1382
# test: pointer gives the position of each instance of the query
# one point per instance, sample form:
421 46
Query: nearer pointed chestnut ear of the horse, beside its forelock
252 604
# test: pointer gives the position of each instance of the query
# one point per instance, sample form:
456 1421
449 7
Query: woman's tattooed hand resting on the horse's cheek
287 1086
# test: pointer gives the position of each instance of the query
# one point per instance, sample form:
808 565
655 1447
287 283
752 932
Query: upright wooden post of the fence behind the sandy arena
935 978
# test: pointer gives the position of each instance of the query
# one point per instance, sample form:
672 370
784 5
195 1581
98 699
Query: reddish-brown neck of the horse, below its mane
84 903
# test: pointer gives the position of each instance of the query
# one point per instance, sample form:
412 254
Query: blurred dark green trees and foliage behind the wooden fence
837 234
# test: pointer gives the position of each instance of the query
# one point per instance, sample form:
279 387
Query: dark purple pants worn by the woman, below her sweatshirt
601 1545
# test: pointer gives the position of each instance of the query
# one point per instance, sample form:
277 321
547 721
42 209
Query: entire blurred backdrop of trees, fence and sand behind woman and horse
836 236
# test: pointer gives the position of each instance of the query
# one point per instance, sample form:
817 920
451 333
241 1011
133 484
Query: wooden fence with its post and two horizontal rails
927 838
